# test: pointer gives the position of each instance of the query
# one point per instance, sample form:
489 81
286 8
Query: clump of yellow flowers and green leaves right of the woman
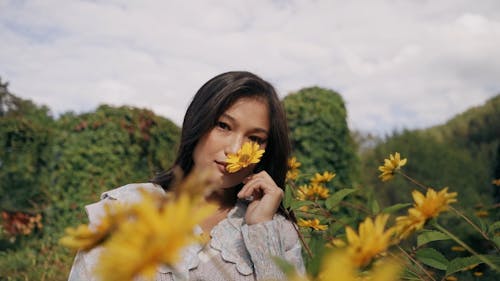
428 257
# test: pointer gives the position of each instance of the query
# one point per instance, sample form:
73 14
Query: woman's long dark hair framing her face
210 102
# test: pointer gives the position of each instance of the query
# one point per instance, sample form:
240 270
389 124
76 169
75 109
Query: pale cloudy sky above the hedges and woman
397 63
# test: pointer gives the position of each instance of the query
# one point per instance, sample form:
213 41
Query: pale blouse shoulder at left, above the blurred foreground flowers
130 193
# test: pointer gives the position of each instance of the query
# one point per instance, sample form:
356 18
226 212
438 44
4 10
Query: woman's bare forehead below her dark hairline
253 111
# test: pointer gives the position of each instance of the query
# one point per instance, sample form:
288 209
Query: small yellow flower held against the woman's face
249 153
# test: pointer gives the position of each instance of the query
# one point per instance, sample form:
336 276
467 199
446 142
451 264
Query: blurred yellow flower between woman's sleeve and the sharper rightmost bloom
371 240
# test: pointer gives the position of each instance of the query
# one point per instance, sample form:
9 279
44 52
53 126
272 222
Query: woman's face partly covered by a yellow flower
246 120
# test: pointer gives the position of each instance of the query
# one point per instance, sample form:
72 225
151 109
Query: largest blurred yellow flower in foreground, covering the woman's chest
152 236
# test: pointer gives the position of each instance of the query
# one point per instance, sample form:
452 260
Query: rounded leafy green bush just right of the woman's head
320 135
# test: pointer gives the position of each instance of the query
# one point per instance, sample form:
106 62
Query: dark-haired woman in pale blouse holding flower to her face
249 228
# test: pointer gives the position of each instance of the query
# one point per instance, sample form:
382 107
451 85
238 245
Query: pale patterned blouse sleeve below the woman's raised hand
275 238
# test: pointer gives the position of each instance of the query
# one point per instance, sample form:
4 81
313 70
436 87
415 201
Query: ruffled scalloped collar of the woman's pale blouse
226 238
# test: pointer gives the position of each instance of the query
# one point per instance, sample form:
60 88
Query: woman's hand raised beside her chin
266 195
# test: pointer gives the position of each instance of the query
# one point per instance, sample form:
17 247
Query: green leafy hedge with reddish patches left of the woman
53 167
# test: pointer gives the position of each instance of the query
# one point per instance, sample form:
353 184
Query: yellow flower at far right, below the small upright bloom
425 207
